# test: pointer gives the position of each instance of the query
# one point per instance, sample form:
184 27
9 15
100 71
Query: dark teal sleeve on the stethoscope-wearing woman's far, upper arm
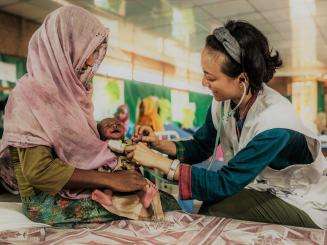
202 145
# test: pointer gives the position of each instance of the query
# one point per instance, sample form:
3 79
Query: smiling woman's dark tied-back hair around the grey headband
257 60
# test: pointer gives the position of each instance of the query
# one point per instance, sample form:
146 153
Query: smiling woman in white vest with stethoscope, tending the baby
274 170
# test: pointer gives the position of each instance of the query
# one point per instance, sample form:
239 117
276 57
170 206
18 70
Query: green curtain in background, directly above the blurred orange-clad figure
136 91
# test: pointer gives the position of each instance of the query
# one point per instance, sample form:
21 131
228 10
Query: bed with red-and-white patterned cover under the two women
178 228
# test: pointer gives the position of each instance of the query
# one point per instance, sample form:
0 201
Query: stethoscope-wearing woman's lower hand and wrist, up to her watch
144 156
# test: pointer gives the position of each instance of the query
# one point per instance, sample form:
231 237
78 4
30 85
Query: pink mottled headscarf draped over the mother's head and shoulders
51 105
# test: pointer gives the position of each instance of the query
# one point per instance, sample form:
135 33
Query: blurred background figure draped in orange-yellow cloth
149 114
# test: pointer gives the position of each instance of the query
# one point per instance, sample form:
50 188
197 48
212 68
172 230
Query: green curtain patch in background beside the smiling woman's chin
202 103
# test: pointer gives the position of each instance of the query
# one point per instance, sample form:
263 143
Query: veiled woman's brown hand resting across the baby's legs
127 181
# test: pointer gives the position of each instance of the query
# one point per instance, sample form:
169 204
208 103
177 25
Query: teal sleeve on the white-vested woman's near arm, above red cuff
275 148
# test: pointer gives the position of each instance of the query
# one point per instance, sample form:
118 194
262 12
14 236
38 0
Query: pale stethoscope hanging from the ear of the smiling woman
223 119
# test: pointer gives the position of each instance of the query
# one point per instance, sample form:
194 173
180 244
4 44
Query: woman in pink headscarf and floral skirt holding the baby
49 126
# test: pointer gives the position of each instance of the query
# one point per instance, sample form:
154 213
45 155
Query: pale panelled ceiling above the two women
296 28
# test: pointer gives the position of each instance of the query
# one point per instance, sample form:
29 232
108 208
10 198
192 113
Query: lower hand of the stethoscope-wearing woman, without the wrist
141 154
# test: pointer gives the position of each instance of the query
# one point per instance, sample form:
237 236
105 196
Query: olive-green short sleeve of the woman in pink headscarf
44 171
